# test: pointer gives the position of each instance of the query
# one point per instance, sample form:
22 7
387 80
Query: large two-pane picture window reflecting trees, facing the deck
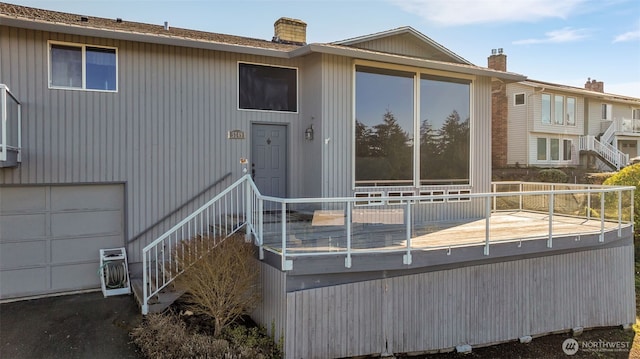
385 125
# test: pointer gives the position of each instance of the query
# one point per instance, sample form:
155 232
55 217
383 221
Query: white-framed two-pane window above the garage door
83 67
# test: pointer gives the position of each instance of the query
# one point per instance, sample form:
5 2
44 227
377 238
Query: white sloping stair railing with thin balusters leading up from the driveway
224 215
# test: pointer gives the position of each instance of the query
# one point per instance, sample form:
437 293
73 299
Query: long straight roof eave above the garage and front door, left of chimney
139 37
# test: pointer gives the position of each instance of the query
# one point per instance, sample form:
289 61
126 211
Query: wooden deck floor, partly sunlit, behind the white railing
329 234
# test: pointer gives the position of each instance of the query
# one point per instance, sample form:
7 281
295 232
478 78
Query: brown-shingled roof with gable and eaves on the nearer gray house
53 21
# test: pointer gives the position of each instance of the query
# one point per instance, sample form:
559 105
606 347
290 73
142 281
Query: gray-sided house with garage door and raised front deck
370 241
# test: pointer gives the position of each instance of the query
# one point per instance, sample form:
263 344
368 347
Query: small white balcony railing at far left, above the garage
10 126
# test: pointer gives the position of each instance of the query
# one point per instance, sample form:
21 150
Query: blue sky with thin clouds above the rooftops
559 41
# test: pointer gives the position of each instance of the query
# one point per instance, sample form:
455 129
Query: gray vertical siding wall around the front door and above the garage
163 133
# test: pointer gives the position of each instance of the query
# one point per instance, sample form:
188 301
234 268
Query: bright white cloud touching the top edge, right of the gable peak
464 12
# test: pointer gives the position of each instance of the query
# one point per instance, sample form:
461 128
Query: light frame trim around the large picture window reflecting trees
418 73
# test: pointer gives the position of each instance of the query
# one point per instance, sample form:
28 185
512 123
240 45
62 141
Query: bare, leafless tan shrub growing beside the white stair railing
221 282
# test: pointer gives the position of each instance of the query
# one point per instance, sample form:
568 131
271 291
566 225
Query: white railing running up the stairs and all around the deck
277 224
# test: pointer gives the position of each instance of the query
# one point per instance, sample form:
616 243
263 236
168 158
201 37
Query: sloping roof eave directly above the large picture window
416 62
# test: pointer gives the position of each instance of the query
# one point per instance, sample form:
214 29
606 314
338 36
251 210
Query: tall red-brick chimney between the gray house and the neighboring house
499 111
